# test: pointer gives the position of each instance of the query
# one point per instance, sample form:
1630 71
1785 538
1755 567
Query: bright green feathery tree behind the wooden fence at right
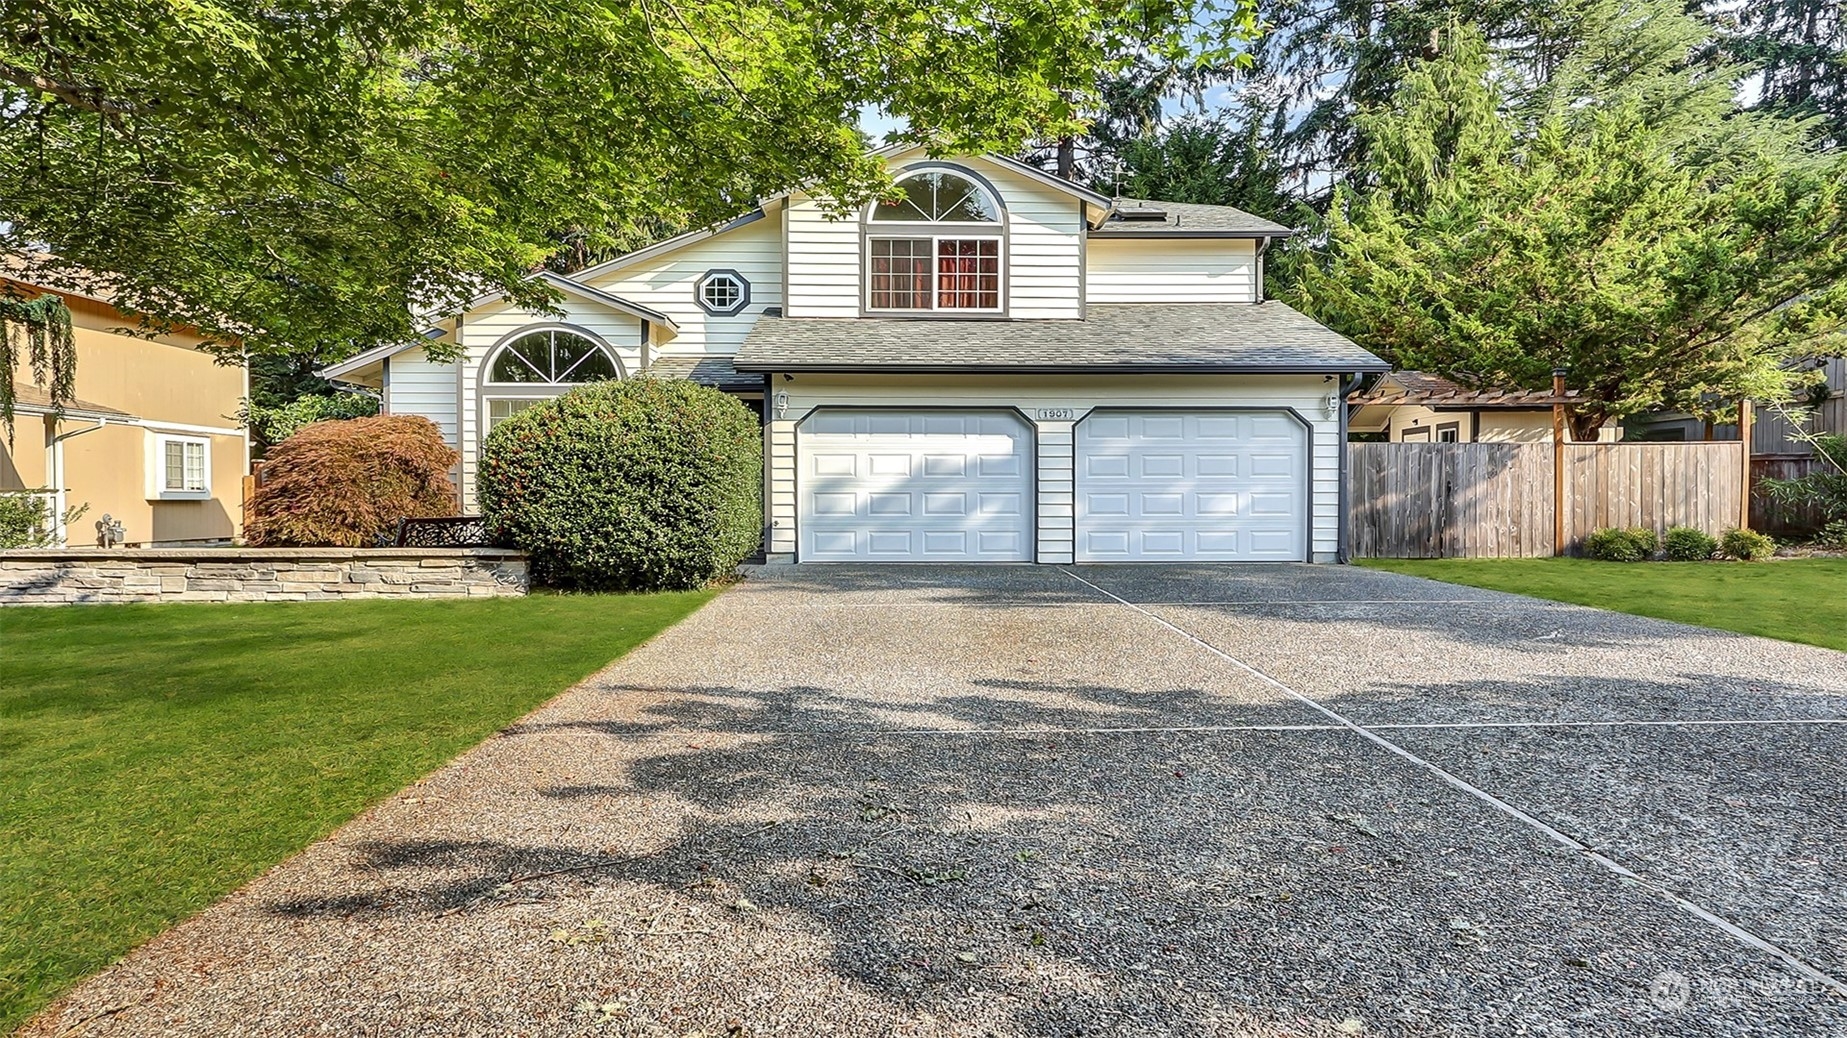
1663 250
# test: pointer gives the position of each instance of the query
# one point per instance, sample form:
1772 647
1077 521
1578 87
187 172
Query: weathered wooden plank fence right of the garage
1497 500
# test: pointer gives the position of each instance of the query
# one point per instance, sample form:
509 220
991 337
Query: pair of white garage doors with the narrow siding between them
1153 485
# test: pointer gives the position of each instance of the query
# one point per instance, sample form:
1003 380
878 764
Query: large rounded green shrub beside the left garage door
627 487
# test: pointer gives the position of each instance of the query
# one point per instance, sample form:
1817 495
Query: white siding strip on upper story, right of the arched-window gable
1176 271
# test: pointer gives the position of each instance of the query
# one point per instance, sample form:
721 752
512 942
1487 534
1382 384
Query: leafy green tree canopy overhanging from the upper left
306 176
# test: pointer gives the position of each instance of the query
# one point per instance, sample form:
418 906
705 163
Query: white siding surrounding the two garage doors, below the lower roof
1080 394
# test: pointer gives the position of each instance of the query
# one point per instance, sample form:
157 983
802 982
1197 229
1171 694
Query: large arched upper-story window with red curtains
936 245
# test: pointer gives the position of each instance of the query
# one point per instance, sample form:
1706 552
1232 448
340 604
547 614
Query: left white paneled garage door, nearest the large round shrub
915 487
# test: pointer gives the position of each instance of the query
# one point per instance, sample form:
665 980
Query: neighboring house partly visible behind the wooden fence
1414 407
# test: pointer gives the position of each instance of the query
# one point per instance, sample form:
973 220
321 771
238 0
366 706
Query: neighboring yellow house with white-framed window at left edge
152 439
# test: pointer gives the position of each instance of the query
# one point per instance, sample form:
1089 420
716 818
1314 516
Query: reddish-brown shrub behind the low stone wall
348 483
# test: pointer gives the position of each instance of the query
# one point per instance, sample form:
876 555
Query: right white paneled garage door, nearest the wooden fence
1192 487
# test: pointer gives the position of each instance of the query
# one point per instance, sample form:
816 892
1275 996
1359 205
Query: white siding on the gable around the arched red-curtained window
1044 250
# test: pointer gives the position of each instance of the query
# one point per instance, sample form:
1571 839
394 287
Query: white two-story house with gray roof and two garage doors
996 365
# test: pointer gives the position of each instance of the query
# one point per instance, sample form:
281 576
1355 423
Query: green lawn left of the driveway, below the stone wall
154 758
